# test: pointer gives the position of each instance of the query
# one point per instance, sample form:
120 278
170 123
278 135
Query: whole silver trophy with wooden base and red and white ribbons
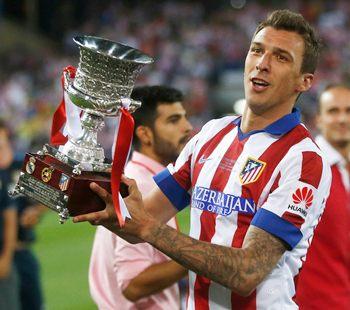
60 174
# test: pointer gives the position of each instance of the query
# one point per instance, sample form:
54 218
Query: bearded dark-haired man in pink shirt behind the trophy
126 276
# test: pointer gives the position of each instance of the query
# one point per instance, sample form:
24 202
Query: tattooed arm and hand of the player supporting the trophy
240 270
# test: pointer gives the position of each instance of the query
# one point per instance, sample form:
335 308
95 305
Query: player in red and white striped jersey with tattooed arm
257 184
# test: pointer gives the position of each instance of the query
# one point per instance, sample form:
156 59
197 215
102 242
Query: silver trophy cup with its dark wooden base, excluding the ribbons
60 178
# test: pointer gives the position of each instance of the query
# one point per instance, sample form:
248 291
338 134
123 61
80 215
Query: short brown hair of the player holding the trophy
295 22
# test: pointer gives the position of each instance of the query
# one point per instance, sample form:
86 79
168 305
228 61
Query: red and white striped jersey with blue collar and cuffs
276 179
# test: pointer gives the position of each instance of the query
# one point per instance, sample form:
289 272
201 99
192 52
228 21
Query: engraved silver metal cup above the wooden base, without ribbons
105 77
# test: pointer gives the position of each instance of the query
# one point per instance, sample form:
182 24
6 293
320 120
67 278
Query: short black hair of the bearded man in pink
151 97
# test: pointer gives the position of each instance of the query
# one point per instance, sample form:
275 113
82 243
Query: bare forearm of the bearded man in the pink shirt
154 279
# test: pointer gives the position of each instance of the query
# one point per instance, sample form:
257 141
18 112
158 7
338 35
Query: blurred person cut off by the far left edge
9 292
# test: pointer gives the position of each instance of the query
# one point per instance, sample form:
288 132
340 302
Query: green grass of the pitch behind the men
64 253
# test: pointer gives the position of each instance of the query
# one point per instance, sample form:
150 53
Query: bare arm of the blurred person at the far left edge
9 240
